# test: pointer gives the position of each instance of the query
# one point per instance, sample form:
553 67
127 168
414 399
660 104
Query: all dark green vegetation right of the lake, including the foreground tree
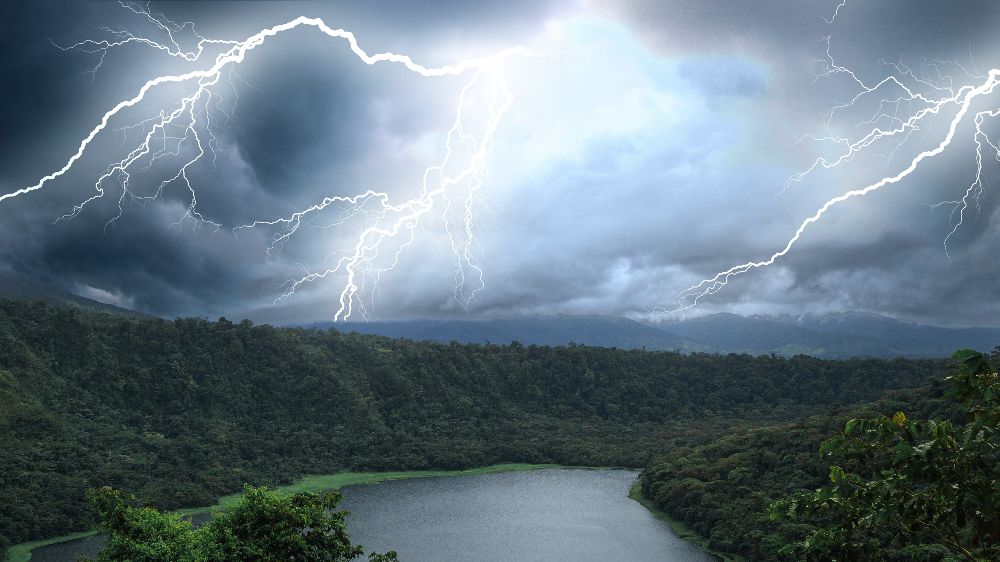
903 489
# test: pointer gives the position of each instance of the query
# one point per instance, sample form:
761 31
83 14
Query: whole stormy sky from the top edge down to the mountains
647 146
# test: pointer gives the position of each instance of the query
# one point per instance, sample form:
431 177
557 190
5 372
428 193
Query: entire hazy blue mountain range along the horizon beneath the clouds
827 336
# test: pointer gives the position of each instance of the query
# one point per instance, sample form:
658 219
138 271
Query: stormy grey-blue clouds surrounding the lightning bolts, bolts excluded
646 149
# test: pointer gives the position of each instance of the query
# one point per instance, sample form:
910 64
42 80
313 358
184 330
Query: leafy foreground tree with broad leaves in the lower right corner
916 485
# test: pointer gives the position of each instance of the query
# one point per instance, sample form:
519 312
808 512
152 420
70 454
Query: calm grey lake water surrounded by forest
555 514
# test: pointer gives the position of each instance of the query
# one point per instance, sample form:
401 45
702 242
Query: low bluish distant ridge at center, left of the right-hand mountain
547 330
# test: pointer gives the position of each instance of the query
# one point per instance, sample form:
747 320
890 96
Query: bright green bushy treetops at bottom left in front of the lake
263 526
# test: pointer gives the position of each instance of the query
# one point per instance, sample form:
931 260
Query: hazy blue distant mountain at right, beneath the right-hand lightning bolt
831 336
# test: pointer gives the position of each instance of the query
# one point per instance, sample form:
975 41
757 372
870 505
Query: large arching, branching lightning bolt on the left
181 131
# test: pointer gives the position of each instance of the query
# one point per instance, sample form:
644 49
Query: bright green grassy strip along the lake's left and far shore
310 483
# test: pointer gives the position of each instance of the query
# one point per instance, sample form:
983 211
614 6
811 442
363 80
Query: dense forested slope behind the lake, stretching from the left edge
181 412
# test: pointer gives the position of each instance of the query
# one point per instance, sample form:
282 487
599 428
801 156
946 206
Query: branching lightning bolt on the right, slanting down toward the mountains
909 101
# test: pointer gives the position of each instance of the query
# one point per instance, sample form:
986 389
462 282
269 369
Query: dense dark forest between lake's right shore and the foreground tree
720 483
